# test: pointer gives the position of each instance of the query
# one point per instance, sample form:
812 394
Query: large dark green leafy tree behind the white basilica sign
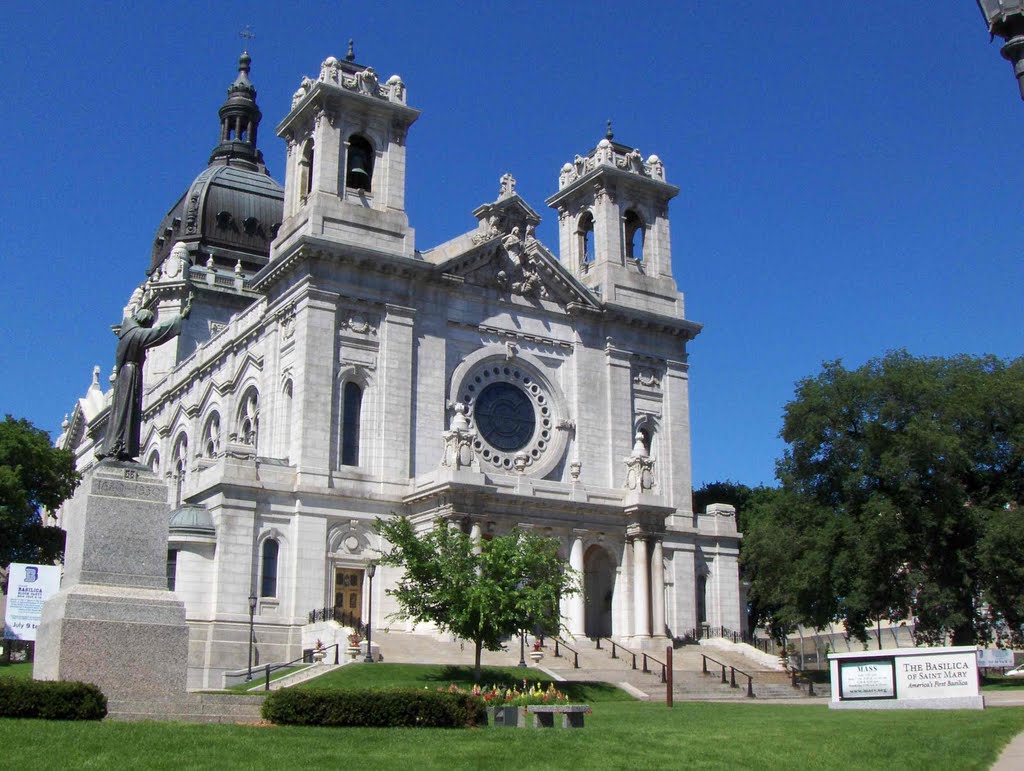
901 466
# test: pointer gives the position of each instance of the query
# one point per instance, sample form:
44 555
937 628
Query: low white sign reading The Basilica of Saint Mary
907 678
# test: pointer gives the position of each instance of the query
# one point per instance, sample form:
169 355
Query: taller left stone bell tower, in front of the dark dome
346 178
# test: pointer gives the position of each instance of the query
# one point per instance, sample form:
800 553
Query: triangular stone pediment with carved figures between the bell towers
514 265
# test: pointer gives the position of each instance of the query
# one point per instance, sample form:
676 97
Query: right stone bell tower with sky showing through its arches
614 227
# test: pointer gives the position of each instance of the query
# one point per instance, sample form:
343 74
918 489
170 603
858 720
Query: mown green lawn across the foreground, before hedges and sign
619 736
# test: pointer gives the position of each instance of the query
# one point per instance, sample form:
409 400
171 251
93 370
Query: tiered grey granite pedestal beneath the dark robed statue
114 624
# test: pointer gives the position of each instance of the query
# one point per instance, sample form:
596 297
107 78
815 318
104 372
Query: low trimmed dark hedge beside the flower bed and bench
376 709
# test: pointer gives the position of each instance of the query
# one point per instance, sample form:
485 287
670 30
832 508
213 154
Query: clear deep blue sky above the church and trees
850 177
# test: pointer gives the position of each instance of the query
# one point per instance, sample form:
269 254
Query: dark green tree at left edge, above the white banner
34 476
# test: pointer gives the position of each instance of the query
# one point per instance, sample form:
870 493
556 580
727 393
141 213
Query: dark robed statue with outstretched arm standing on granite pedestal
138 334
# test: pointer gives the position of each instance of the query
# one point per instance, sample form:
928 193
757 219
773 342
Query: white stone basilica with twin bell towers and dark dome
331 373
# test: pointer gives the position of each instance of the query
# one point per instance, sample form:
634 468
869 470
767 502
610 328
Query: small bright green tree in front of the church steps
486 594
